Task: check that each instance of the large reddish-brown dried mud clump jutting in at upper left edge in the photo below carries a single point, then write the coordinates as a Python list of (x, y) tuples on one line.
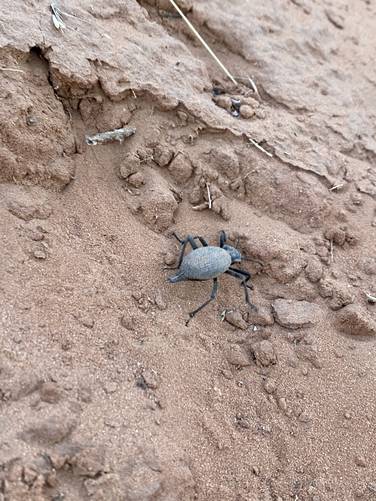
[(35, 134)]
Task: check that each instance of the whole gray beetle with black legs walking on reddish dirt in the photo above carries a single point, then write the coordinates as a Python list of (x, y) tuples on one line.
[(208, 263)]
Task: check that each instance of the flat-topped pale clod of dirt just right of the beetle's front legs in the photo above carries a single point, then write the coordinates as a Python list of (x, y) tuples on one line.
[(295, 314)]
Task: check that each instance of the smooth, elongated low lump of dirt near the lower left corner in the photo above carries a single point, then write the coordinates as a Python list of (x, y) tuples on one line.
[(51, 430)]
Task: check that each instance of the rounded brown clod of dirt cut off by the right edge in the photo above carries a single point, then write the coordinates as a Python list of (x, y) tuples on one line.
[(356, 321)]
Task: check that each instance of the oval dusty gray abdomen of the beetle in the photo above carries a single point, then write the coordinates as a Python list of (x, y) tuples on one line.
[(205, 263)]
